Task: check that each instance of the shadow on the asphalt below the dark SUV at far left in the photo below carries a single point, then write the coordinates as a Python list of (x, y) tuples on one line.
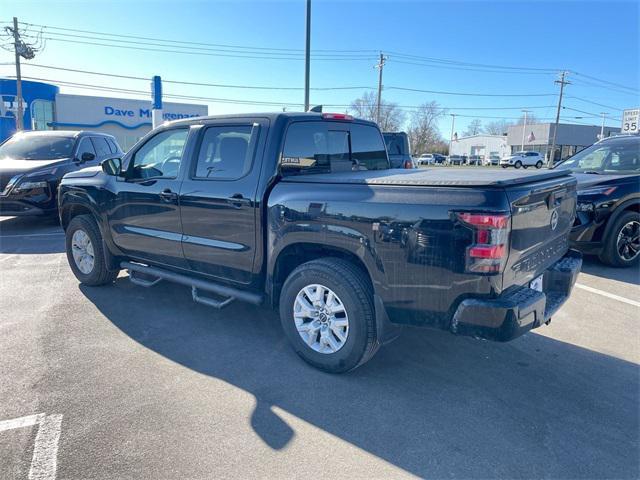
[(31, 235)]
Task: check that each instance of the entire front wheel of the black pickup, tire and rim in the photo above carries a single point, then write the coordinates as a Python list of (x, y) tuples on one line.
[(85, 254)]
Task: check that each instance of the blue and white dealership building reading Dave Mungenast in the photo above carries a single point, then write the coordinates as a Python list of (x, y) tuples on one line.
[(45, 108)]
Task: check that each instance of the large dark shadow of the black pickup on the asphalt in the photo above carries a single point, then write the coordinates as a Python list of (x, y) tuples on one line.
[(430, 403)]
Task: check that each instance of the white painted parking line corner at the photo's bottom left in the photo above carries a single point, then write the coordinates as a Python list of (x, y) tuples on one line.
[(44, 462)]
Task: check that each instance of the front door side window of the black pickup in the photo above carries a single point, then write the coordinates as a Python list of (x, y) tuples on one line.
[(160, 156)]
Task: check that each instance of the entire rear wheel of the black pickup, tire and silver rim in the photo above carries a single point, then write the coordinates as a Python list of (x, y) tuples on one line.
[(327, 313)]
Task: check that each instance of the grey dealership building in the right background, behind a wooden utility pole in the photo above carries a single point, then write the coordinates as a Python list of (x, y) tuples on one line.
[(570, 138)]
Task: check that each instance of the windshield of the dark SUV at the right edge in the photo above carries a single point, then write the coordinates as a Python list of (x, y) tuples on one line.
[(620, 156)]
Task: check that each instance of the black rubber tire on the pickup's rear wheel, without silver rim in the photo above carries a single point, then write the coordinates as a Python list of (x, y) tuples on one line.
[(350, 285)]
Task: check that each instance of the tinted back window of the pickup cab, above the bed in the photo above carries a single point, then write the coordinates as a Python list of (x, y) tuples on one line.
[(323, 147)]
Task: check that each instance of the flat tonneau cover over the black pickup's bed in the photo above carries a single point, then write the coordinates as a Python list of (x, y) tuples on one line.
[(434, 177)]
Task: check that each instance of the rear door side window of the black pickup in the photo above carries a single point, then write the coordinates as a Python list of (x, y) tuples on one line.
[(226, 152)]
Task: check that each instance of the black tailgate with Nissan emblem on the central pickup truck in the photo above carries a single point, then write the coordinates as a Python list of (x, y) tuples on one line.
[(542, 215)]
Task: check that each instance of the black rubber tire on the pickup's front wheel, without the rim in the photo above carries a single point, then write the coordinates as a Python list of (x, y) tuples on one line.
[(99, 274)]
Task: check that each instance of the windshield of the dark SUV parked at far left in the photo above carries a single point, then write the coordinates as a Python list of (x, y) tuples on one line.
[(32, 147)]
